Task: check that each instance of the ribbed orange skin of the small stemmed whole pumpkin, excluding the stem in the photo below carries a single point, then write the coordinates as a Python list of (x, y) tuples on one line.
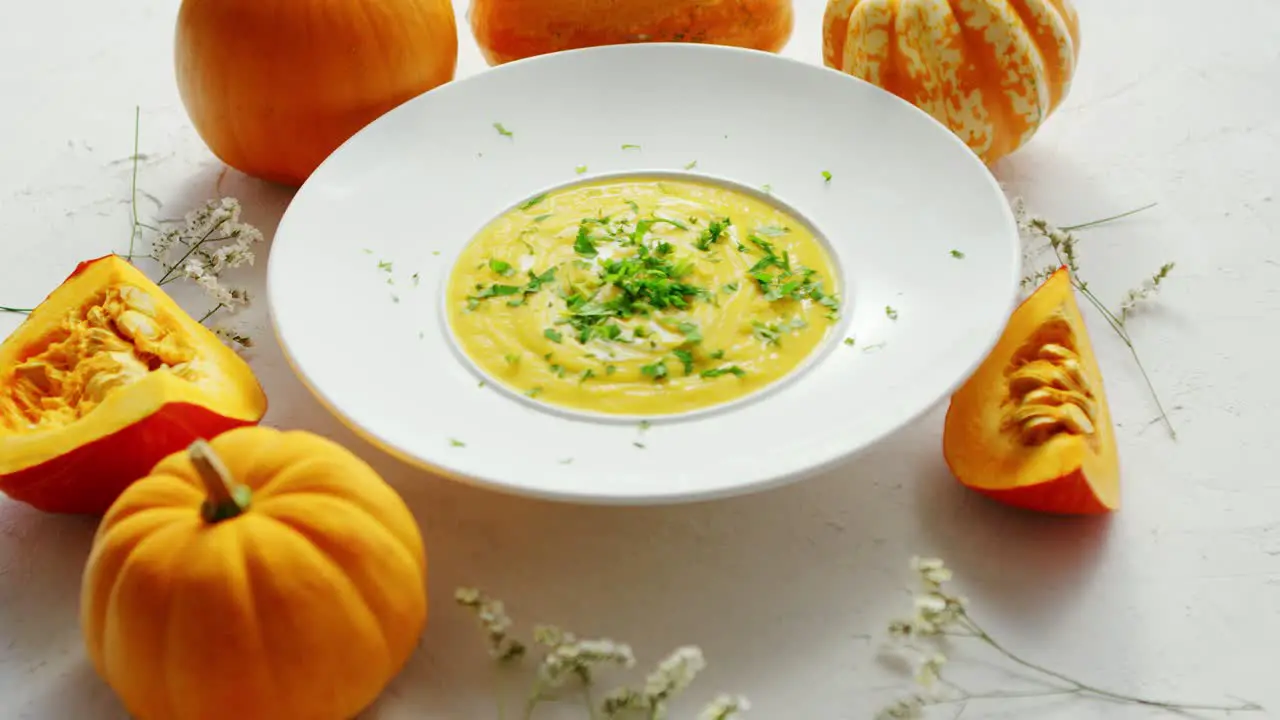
[(303, 608)]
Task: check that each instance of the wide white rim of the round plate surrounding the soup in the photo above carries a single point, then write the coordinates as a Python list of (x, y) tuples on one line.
[(415, 186)]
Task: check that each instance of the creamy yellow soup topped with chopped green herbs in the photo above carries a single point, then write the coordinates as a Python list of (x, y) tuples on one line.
[(643, 297)]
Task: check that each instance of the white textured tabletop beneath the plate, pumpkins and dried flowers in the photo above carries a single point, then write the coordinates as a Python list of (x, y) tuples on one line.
[(788, 593)]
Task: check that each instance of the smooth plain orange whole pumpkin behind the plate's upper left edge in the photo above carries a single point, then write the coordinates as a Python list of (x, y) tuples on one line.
[(275, 86)]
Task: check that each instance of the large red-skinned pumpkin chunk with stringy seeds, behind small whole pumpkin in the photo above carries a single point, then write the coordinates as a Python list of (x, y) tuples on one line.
[(103, 380)]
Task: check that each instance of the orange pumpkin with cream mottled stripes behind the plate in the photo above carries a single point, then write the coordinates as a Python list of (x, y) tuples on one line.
[(993, 71)]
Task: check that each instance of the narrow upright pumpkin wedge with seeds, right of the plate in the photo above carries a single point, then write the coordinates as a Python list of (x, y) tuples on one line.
[(1032, 427)]
